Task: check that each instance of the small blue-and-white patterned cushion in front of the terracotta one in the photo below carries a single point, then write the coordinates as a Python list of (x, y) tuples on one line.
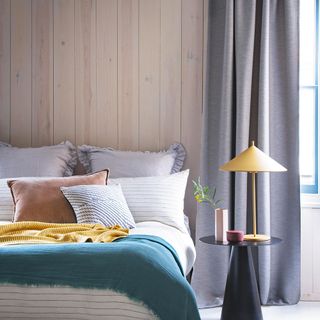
[(99, 204)]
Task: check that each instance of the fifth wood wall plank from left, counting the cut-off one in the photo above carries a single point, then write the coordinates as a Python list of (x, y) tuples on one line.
[(85, 71)]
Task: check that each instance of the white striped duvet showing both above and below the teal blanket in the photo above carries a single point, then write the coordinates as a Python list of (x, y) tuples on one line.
[(27, 302)]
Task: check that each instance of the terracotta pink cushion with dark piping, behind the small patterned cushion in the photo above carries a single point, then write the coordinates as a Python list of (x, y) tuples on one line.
[(42, 200)]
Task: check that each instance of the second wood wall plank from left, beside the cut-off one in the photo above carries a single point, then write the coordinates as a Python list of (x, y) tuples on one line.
[(20, 127)]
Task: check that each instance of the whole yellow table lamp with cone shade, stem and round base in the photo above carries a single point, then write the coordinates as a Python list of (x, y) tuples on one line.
[(253, 160)]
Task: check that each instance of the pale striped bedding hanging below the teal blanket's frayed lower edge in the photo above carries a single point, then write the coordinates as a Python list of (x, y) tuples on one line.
[(28, 303)]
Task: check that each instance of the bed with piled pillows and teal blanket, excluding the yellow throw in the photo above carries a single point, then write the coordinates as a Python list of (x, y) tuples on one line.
[(44, 282)]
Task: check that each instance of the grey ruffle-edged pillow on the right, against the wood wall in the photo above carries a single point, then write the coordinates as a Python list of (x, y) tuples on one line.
[(132, 163)]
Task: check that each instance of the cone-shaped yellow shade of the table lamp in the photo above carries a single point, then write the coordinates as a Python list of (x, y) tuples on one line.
[(252, 160)]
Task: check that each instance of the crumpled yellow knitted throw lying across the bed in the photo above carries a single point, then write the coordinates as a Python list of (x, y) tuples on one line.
[(27, 232)]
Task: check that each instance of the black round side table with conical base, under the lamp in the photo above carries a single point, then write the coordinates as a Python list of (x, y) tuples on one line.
[(241, 298)]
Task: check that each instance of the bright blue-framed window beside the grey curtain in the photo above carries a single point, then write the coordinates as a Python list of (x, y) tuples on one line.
[(309, 93)]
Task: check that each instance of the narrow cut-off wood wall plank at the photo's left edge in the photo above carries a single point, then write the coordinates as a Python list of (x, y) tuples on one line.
[(5, 70)]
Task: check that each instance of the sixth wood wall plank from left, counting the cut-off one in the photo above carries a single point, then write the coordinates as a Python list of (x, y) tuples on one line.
[(107, 73)]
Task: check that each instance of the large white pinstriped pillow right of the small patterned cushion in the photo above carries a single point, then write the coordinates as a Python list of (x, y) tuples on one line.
[(158, 198)]
